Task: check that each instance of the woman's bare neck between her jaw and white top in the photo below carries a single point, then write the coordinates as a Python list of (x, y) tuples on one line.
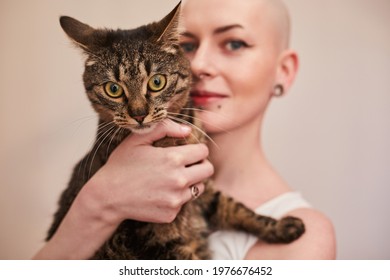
[(241, 168)]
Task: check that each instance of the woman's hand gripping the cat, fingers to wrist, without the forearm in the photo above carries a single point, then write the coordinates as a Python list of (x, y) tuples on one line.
[(146, 183)]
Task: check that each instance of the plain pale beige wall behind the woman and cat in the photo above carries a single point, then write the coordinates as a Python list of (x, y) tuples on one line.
[(329, 137)]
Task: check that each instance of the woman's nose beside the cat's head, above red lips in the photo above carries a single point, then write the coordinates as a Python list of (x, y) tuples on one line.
[(202, 62)]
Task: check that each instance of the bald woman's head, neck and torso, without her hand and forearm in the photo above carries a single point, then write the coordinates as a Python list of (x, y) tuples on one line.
[(239, 52)]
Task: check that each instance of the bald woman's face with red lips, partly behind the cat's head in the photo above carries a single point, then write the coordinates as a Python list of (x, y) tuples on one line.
[(234, 50)]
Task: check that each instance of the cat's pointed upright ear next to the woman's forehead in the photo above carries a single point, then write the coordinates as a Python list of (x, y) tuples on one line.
[(168, 32)]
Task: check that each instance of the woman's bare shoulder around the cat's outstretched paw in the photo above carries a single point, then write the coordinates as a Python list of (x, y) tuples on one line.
[(318, 241)]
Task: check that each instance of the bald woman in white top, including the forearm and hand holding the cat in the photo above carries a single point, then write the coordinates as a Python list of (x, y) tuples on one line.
[(240, 58)]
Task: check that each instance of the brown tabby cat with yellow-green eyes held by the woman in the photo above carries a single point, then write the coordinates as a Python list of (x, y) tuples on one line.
[(135, 79)]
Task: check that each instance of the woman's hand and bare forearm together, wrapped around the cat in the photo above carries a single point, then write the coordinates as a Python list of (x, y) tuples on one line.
[(139, 182)]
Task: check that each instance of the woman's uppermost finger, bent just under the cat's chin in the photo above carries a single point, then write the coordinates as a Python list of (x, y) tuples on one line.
[(165, 128)]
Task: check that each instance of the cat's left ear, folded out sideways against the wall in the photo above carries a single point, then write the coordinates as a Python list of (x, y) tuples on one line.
[(82, 34)]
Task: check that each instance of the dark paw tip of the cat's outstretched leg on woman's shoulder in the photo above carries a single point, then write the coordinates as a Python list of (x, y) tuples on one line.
[(289, 229)]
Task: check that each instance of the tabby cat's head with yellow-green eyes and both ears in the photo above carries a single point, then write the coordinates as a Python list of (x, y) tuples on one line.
[(133, 77)]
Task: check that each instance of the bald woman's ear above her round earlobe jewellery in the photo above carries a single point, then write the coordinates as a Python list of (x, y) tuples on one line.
[(287, 68)]
